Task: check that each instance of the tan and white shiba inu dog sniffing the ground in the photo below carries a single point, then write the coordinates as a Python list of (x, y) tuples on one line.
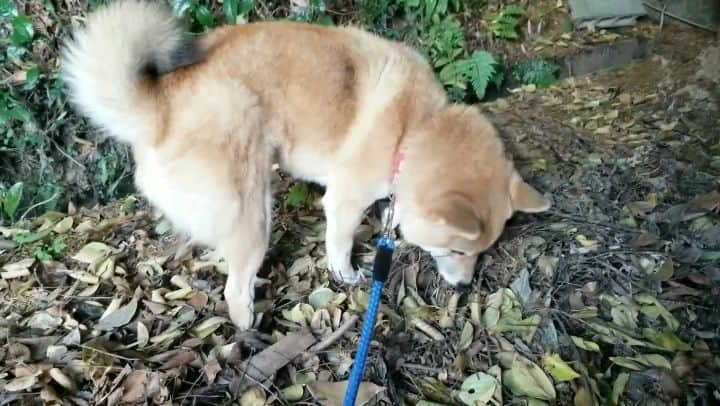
[(206, 120)]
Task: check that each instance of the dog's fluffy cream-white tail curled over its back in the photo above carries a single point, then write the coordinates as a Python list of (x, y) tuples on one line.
[(111, 66)]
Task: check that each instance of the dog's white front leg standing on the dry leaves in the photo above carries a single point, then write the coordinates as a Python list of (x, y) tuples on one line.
[(343, 213)]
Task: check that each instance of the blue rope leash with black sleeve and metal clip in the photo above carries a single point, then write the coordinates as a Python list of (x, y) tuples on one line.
[(381, 269)]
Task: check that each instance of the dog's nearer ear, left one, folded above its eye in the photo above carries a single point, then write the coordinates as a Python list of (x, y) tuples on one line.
[(456, 212)]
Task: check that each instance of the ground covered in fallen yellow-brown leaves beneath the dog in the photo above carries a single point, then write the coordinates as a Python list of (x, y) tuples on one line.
[(610, 298)]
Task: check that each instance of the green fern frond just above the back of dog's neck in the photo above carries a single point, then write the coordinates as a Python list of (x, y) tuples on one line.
[(479, 70)]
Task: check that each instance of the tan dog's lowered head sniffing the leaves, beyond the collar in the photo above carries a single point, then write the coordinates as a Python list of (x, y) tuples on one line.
[(457, 190)]
